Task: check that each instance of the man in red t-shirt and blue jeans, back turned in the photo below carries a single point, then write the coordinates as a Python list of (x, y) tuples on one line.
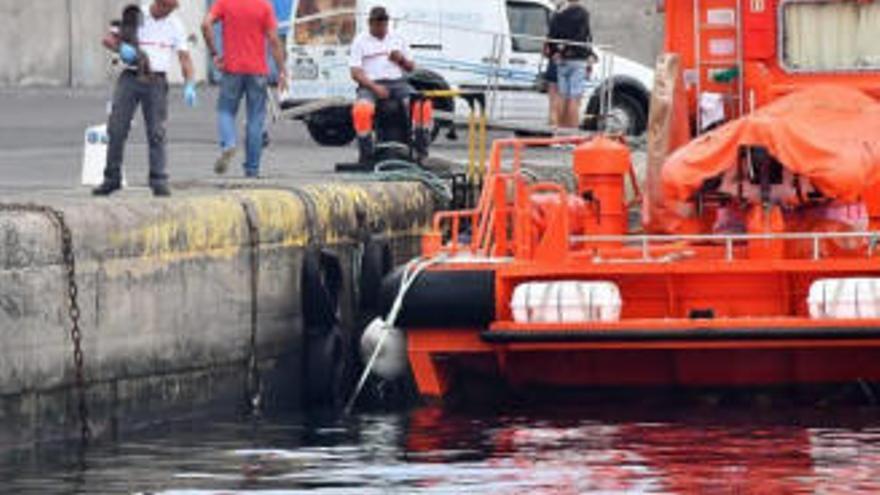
[(247, 26)]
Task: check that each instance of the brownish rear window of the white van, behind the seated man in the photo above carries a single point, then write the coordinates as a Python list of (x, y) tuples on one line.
[(325, 22)]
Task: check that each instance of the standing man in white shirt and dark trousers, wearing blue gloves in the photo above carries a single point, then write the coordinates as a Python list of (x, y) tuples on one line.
[(160, 37)]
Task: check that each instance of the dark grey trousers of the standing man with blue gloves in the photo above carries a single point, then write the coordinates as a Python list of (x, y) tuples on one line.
[(151, 93)]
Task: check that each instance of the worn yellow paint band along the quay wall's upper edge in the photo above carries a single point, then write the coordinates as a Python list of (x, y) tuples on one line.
[(214, 226)]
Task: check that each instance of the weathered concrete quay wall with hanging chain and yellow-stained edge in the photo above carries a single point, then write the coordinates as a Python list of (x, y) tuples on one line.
[(165, 295)]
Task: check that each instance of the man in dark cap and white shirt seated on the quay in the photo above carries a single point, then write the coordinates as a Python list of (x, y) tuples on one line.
[(378, 62)]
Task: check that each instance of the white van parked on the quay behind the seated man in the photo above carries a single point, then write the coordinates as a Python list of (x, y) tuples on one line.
[(467, 44)]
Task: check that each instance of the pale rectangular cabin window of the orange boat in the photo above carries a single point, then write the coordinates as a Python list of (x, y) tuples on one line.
[(831, 36)]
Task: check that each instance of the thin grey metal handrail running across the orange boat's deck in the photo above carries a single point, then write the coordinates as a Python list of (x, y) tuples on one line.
[(646, 242)]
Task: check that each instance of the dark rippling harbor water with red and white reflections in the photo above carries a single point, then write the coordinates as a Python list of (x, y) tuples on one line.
[(706, 448)]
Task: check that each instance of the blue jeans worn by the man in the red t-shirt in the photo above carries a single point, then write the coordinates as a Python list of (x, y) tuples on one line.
[(253, 88)]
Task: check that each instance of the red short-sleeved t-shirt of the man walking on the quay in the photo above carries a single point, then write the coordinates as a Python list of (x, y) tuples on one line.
[(245, 26)]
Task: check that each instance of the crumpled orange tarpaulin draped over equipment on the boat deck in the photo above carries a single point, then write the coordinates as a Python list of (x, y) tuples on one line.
[(827, 134)]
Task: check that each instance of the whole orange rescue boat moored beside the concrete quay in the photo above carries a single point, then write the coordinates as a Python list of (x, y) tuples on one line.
[(761, 262)]
